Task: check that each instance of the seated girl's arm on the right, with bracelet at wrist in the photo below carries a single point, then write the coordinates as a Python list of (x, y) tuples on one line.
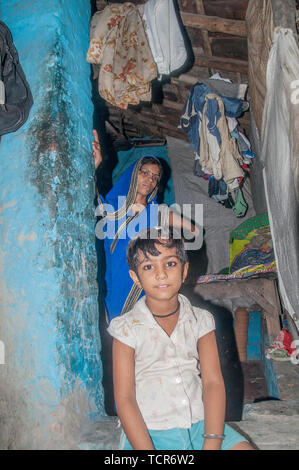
[(213, 390)]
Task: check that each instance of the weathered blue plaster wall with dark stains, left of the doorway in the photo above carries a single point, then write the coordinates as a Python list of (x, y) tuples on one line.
[(51, 380)]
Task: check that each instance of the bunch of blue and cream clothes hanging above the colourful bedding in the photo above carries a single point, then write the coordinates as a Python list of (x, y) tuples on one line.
[(222, 151)]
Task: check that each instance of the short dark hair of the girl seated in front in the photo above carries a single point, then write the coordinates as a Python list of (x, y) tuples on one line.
[(147, 243)]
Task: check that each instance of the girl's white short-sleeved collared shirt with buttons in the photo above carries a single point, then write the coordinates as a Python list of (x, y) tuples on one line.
[(167, 369)]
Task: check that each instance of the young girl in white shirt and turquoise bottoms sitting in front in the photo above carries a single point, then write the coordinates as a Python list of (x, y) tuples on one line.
[(169, 390)]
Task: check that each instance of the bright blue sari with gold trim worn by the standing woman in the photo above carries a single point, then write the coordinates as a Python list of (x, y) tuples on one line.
[(119, 291)]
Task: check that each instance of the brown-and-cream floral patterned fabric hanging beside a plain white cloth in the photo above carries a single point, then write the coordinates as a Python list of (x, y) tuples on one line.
[(118, 43)]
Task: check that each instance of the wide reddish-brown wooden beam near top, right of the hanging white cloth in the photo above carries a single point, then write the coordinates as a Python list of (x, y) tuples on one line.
[(215, 24)]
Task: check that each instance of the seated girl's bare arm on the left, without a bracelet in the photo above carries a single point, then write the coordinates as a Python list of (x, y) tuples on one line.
[(125, 399)]
